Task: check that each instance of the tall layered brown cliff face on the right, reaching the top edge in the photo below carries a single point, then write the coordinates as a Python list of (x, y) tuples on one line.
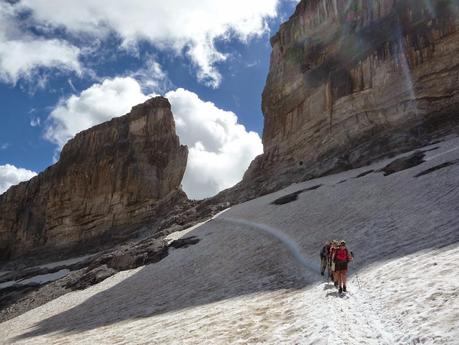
[(352, 80)]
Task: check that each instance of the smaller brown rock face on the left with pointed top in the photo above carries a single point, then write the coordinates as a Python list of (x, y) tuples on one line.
[(109, 180)]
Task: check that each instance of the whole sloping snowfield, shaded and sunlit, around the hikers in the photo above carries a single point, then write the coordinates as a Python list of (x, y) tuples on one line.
[(253, 278)]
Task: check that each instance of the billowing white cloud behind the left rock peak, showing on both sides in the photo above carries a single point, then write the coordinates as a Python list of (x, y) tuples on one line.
[(220, 149)]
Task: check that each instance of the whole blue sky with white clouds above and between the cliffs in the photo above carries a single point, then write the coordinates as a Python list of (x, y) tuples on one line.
[(66, 66)]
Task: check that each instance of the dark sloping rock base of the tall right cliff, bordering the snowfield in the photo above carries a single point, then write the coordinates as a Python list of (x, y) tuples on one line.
[(270, 172)]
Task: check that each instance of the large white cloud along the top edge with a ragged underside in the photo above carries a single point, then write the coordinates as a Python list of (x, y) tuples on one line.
[(177, 25)]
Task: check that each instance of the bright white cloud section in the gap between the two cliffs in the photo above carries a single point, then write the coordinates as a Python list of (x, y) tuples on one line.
[(220, 149)]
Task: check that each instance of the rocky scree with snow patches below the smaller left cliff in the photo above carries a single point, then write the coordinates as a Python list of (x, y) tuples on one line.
[(25, 286)]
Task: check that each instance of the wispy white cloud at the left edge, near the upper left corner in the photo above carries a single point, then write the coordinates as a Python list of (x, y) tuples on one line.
[(21, 54)]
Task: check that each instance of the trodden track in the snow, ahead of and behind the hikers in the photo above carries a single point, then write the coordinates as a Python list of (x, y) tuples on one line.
[(351, 318)]
